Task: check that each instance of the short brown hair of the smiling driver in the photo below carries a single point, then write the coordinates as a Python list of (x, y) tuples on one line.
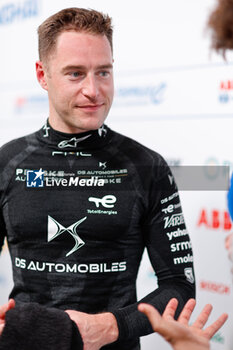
[(72, 19)]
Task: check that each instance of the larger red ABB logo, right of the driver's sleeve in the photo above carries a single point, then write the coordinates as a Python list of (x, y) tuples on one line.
[(215, 219)]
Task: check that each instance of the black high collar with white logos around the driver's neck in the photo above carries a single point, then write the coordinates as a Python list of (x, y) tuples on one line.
[(64, 141)]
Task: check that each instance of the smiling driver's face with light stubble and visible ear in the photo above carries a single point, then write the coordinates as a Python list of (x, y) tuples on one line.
[(79, 80)]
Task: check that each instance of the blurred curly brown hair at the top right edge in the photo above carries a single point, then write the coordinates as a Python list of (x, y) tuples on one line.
[(220, 24)]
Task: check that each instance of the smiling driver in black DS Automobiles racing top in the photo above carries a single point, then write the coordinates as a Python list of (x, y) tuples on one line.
[(80, 202)]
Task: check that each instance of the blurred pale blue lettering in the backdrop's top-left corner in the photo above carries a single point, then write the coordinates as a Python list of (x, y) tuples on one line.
[(12, 12)]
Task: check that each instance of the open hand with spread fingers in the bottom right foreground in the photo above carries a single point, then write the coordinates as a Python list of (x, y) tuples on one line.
[(180, 334)]
